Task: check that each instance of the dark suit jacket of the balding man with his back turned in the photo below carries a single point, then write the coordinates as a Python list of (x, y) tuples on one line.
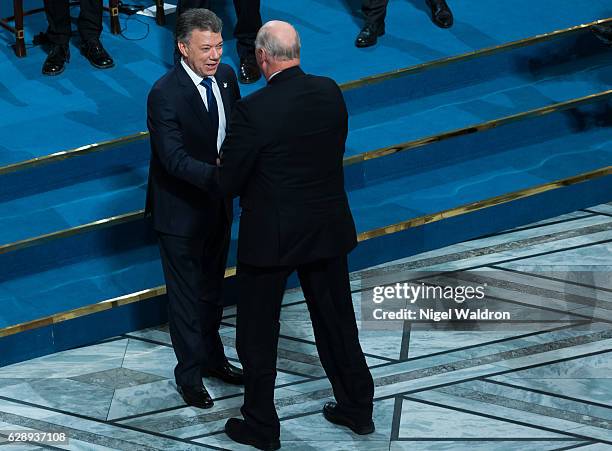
[(283, 157)]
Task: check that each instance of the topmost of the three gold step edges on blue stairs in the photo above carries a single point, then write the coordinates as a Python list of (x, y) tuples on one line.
[(378, 78)]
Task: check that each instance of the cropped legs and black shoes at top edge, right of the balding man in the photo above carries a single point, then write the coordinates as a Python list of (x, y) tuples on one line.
[(376, 10)]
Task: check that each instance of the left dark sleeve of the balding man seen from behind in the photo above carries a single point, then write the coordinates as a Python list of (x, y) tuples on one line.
[(238, 153)]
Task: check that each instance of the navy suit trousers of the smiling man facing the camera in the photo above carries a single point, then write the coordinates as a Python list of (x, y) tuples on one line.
[(194, 269)]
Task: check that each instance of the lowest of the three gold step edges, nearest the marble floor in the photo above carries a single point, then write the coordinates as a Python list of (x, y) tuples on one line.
[(375, 233)]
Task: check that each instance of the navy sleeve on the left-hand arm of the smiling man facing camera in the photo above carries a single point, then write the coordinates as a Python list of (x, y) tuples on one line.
[(167, 143)]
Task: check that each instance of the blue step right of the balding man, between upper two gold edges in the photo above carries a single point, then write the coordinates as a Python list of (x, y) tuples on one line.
[(474, 91)]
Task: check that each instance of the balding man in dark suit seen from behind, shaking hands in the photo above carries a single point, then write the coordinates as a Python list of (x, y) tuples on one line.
[(283, 157)]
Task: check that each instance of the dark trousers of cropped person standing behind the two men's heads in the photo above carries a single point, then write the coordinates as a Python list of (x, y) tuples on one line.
[(248, 22)]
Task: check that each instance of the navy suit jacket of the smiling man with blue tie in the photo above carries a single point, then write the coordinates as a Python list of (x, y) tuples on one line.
[(182, 194)]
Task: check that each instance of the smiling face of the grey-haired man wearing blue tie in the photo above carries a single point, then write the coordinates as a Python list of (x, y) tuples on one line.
[(203, 52)]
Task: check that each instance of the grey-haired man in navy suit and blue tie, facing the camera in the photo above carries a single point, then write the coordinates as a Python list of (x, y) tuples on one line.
[(188, 109)]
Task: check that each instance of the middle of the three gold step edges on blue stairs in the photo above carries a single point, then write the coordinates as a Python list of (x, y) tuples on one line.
[(348, 161)]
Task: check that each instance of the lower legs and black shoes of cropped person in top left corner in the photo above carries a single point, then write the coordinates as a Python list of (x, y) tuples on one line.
[(58, 34)]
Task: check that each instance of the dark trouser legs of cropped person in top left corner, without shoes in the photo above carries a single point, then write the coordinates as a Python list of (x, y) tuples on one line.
[(58, 17)]
